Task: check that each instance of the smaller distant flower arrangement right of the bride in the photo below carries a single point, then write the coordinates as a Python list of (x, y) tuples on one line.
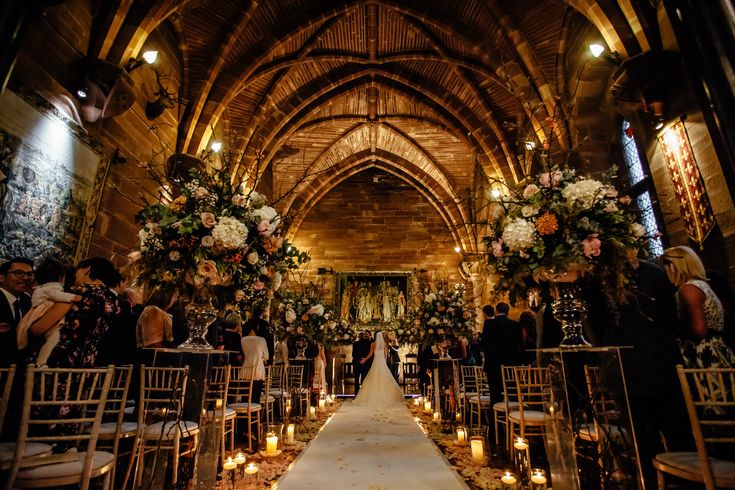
[(444, 315)]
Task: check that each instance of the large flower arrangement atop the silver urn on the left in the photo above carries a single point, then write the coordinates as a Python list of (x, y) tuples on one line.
[(213, 233)]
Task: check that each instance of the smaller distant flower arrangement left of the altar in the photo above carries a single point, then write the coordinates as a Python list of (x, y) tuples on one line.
[(302, 317)]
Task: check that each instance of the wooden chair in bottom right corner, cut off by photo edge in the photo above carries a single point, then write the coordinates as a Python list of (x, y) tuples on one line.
[(710, 399)]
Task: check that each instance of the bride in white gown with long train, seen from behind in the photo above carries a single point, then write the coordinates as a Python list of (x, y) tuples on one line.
[(379, 389)]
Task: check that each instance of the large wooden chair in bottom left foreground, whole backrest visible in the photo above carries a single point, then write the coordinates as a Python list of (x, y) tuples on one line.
[(80, 393)]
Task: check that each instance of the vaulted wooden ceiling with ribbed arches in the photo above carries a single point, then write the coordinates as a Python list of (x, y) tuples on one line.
[(310, 92)]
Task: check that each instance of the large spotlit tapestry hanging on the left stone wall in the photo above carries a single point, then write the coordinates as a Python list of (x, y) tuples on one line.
[(42, 203)]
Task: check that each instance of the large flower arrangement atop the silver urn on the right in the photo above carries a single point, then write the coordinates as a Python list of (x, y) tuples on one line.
[(561, 223)]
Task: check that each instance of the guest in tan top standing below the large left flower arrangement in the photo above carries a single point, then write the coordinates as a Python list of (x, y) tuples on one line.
[(155, 325)]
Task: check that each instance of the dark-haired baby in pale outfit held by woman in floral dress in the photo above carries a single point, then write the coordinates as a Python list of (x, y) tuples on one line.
[(50, 290)]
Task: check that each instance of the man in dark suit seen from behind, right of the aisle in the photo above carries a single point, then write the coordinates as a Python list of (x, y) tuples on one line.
[(502, 342)]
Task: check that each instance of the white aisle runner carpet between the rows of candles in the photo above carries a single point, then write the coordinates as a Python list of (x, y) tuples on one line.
[(363, 449)]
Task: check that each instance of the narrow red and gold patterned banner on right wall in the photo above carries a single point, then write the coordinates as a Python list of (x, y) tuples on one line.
[(691, 194)]
